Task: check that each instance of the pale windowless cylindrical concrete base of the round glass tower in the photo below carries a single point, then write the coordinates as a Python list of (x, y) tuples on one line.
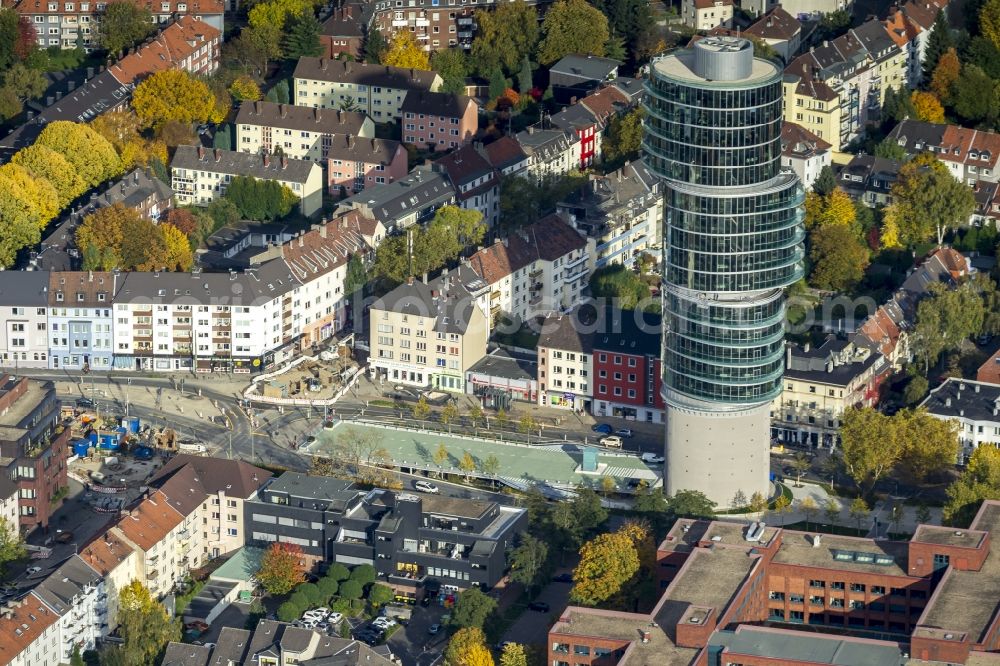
[(719, 453)]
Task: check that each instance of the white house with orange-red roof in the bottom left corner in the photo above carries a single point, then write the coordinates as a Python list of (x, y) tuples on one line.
[(29, 633)]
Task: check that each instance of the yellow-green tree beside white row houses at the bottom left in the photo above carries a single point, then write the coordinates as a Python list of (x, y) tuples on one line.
[(144, 625)]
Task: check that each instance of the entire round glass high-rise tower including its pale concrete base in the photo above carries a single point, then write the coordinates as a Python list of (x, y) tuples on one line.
[(733, 241)]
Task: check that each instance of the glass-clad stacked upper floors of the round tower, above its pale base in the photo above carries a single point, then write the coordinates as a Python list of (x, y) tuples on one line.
[(733, 229)]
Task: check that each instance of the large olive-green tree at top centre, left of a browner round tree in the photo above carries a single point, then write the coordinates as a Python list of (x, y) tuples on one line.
[(504, 36)]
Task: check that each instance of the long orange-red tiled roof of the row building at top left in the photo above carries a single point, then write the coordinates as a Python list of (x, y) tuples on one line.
[(166, 51)]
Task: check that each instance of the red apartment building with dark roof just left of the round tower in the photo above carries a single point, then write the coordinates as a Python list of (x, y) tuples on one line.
[(627, 372)]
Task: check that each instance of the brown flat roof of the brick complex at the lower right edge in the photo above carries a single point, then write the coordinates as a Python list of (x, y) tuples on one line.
[(966, 601)]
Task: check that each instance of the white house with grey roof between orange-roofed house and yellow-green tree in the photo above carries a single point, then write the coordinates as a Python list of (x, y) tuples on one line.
[(73, 591)]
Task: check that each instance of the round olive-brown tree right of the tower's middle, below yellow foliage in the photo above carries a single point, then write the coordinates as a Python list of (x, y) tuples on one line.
[(839, 258)]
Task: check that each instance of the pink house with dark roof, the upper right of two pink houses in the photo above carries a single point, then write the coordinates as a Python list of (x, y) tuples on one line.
[(440, 121)]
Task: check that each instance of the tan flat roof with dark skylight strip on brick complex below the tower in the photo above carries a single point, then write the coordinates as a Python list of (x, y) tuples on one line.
[(887, 558)]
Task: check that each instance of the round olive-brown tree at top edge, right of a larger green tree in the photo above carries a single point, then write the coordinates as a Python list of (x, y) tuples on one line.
[(572, 26)]
